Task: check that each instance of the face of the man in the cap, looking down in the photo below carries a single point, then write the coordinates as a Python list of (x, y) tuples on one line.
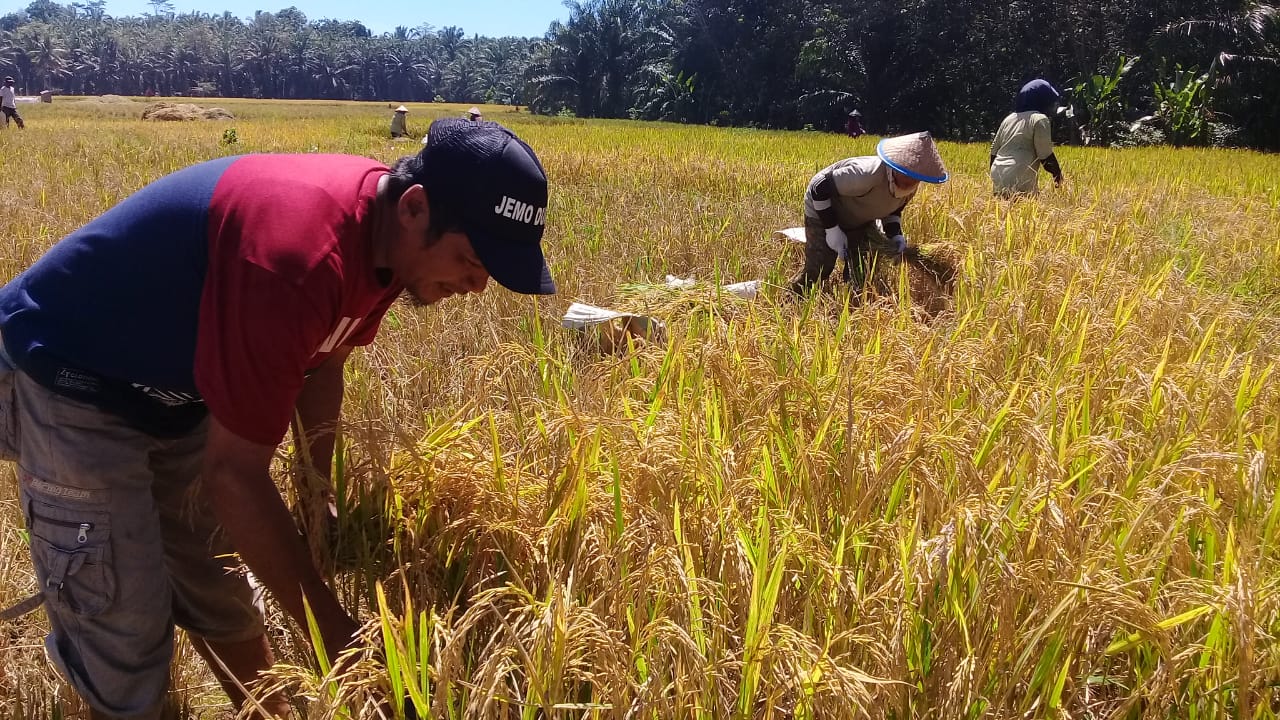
[(442, 270)]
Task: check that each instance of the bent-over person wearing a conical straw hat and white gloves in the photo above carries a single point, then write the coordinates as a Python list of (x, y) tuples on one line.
[(845, 200)]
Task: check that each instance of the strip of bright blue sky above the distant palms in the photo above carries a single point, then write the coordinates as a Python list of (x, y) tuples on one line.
[(476, 17)]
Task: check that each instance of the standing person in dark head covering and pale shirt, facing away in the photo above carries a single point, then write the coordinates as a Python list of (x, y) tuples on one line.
[(1025, 143)]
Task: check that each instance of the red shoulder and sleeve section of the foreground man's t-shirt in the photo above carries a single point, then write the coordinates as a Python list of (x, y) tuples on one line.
[(290, 280)]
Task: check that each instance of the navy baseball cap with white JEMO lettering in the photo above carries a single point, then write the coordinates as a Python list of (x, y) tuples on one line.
[(504, 192)]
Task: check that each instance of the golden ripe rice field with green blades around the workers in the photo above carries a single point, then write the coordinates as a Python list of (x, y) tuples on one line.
[(1046, 491)]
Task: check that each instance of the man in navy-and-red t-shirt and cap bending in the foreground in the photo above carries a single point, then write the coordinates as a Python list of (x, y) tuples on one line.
[(156, 358)]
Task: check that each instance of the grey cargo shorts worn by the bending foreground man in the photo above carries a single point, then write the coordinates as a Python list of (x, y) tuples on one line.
[(124, 548)]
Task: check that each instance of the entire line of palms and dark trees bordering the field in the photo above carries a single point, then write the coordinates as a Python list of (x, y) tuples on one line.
[(1187, 72)]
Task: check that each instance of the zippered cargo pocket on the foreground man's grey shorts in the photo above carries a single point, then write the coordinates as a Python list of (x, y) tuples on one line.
[(72, 554)]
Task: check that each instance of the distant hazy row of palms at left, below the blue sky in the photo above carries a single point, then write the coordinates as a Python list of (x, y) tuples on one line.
[(80, 51)]
